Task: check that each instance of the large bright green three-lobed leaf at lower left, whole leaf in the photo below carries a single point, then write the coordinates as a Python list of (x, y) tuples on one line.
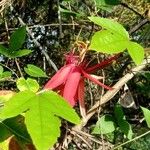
[(42, 112)]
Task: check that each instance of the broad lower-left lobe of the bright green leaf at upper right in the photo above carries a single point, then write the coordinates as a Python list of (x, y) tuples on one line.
[(106, 42)]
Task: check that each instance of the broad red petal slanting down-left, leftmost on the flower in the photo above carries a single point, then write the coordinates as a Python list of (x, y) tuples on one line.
[(59, 78)]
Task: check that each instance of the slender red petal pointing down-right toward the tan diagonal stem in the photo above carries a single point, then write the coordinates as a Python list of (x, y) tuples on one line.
[(96, 81)]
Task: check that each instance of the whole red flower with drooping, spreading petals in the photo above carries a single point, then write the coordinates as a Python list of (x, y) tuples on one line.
[(69, 80)]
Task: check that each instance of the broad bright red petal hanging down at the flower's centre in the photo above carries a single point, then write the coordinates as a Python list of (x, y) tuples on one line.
[(71, 85)]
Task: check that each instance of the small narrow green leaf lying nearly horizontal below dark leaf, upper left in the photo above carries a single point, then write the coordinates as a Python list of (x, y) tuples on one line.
[(20, 53)]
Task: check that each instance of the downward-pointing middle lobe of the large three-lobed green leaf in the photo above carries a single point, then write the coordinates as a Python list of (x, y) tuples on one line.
[(43, 127)]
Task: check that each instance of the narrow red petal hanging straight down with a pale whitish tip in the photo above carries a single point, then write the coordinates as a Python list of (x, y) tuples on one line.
[(81, 98)]
